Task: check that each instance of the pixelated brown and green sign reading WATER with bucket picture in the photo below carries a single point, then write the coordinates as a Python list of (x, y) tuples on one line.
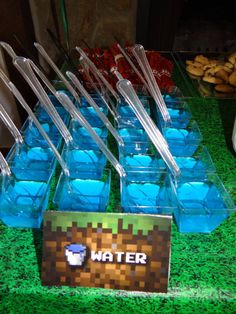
[(115, 251)]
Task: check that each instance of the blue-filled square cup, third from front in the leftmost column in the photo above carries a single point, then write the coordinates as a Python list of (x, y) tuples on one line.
[(33, 138)]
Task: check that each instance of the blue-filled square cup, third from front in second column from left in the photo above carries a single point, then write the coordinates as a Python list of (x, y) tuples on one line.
[(82, 138)]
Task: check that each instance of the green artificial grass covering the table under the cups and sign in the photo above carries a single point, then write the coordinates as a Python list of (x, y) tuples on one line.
[(203, 266)]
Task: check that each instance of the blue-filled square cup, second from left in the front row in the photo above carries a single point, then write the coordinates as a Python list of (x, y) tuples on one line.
[(87, 195)]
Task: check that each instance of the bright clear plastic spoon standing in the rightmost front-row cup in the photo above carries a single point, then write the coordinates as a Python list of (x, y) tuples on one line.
[(126, 89)]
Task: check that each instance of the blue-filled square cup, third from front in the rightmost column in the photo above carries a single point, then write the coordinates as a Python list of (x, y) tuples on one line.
[(183, 142)]
